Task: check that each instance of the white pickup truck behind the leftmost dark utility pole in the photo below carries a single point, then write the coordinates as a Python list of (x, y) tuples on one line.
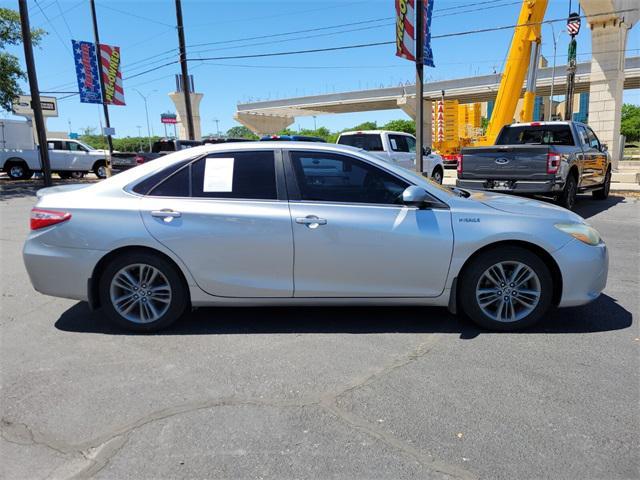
[(68, 158)]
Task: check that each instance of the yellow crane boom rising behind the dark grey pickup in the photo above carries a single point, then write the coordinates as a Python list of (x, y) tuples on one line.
[(522, 58)]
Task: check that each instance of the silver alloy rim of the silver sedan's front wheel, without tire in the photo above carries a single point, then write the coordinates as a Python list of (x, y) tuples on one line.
[(508, 291)]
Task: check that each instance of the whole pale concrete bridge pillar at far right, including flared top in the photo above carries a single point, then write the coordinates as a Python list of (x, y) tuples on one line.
[(608, 44)]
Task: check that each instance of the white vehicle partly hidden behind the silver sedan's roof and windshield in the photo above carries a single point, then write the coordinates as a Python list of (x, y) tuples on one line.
[(396, 147)]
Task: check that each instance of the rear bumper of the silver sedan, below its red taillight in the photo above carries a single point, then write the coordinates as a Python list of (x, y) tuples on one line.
[(59, 271)]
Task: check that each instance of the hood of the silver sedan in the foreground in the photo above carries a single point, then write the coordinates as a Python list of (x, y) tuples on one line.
[(525, 206)]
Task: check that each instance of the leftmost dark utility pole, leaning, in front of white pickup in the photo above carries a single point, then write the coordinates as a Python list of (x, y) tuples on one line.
[(35, 92)]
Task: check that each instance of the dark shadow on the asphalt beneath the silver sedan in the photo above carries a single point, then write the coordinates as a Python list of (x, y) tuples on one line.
[(604, 314)]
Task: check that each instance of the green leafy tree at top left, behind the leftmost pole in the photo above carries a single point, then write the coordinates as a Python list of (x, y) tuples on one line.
[(10, 71)]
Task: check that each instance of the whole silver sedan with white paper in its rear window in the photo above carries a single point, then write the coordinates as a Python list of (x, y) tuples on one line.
[(293, 223)]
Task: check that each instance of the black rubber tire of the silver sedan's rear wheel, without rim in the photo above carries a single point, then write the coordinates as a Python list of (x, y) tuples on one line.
[(178, 302)]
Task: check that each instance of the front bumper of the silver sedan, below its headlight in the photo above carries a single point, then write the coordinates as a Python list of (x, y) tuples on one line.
[(584, 271)]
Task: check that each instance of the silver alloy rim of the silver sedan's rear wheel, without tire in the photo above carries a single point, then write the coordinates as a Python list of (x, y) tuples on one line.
[(140, 293)]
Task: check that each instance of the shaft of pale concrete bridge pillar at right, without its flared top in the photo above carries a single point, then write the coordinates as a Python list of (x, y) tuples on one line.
[(607, 81)]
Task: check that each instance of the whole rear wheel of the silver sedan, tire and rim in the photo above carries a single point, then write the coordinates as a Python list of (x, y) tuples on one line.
[(142, 292)]
